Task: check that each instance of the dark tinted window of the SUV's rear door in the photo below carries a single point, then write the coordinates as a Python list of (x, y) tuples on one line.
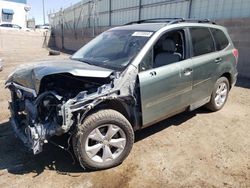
[(202, 41)]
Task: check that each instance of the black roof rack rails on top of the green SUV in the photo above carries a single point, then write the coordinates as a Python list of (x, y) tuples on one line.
[(170, 21)]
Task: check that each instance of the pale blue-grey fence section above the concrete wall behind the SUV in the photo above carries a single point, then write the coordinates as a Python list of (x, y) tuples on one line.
[(78, 18)]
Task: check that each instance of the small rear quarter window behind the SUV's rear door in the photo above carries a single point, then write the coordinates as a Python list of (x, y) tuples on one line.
[(220, 39)]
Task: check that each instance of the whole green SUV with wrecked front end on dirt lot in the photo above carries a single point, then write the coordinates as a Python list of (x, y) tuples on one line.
[(126, 79)]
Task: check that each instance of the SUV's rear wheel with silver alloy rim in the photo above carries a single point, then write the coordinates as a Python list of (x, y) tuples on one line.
[(215, 103)]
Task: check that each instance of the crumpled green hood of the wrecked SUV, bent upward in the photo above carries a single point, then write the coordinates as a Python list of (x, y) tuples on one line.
[(30, 76)]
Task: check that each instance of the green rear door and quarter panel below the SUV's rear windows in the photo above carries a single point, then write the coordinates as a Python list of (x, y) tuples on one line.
[(207, 70)]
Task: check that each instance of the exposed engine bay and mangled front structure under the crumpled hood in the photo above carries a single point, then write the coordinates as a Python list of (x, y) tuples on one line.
[(62, 102)]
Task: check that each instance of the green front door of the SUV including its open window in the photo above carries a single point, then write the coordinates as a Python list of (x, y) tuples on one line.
[(165, 89)]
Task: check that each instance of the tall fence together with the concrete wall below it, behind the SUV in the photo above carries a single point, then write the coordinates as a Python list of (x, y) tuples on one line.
[(76, 25)]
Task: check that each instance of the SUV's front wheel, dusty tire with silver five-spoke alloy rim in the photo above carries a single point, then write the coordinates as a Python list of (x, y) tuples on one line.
[(87, 137)]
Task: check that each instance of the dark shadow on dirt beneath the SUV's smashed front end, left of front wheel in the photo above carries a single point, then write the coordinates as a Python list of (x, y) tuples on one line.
[(16, 160)]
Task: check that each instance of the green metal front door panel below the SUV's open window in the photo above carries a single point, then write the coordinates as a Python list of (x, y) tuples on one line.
[(164, 90)]
